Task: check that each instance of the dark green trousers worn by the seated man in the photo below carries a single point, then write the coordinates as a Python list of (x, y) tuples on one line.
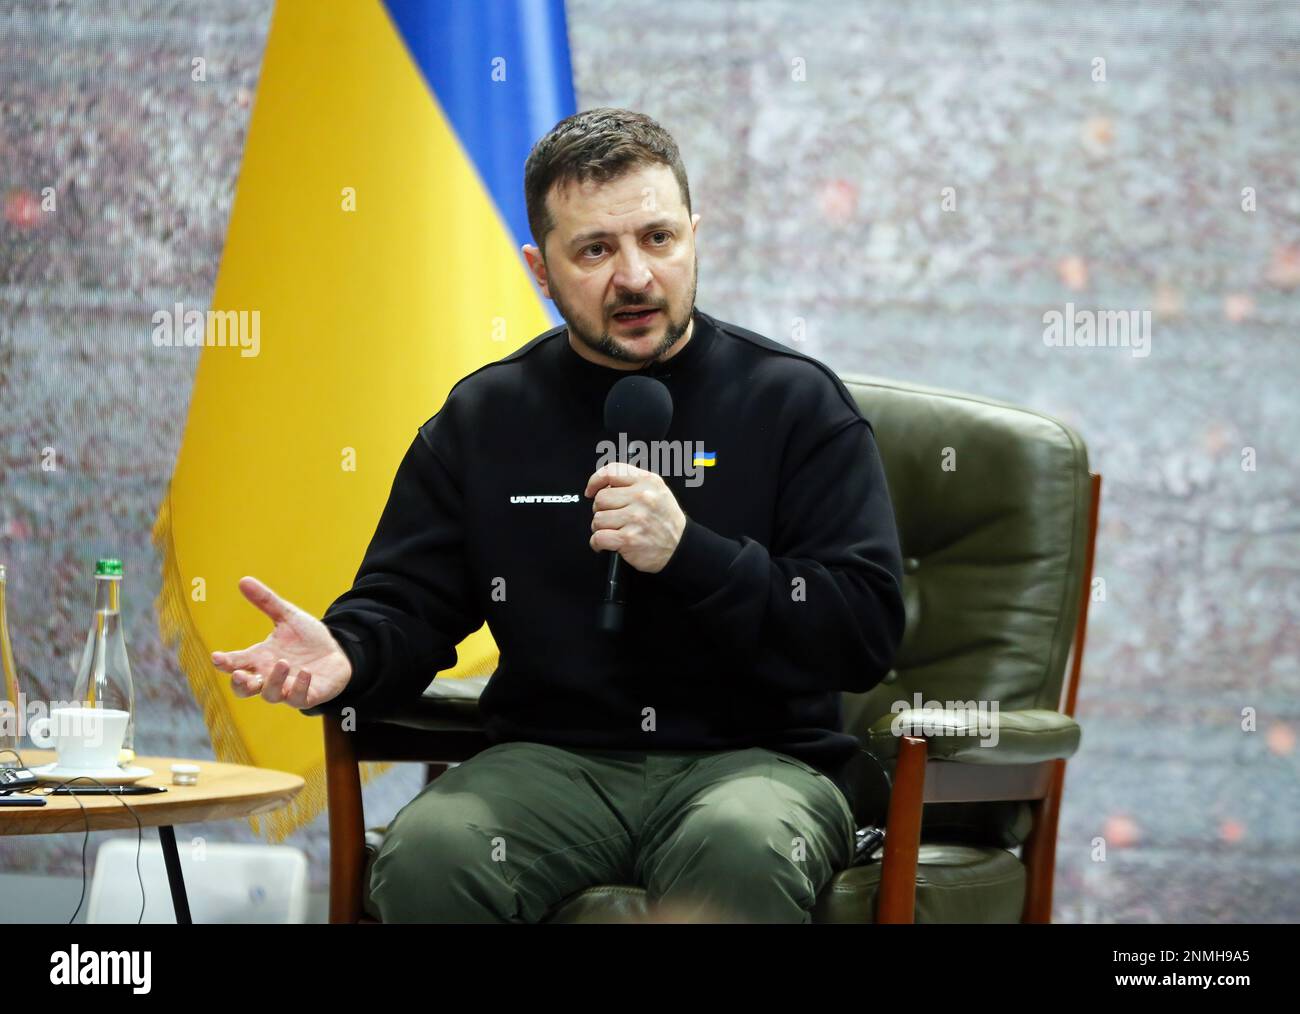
[(735, 837)]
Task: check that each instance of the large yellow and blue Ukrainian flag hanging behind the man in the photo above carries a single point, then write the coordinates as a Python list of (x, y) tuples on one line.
[(376, 229)]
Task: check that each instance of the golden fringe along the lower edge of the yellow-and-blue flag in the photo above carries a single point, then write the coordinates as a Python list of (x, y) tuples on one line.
[(179, 632)]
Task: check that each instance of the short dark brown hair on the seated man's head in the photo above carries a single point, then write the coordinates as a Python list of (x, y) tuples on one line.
[(601, 145)]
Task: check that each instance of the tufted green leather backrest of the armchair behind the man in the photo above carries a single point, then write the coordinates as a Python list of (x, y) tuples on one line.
[(993, 510)]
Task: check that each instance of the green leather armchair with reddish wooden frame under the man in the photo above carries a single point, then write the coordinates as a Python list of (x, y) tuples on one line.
[(965, 742)]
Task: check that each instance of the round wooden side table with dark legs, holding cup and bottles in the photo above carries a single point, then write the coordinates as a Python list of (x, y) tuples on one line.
[(223, 792)]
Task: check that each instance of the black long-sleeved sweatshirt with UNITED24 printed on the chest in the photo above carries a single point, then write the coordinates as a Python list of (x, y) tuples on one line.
[(785, 591)]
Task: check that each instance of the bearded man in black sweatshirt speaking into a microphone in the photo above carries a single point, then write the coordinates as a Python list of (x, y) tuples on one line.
[(694, 753)]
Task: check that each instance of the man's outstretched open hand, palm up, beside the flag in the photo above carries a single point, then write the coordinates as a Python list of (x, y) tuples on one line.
[(300, 664)]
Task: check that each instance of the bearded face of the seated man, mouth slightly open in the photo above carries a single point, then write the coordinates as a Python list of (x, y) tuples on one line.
[(618, 245)]
